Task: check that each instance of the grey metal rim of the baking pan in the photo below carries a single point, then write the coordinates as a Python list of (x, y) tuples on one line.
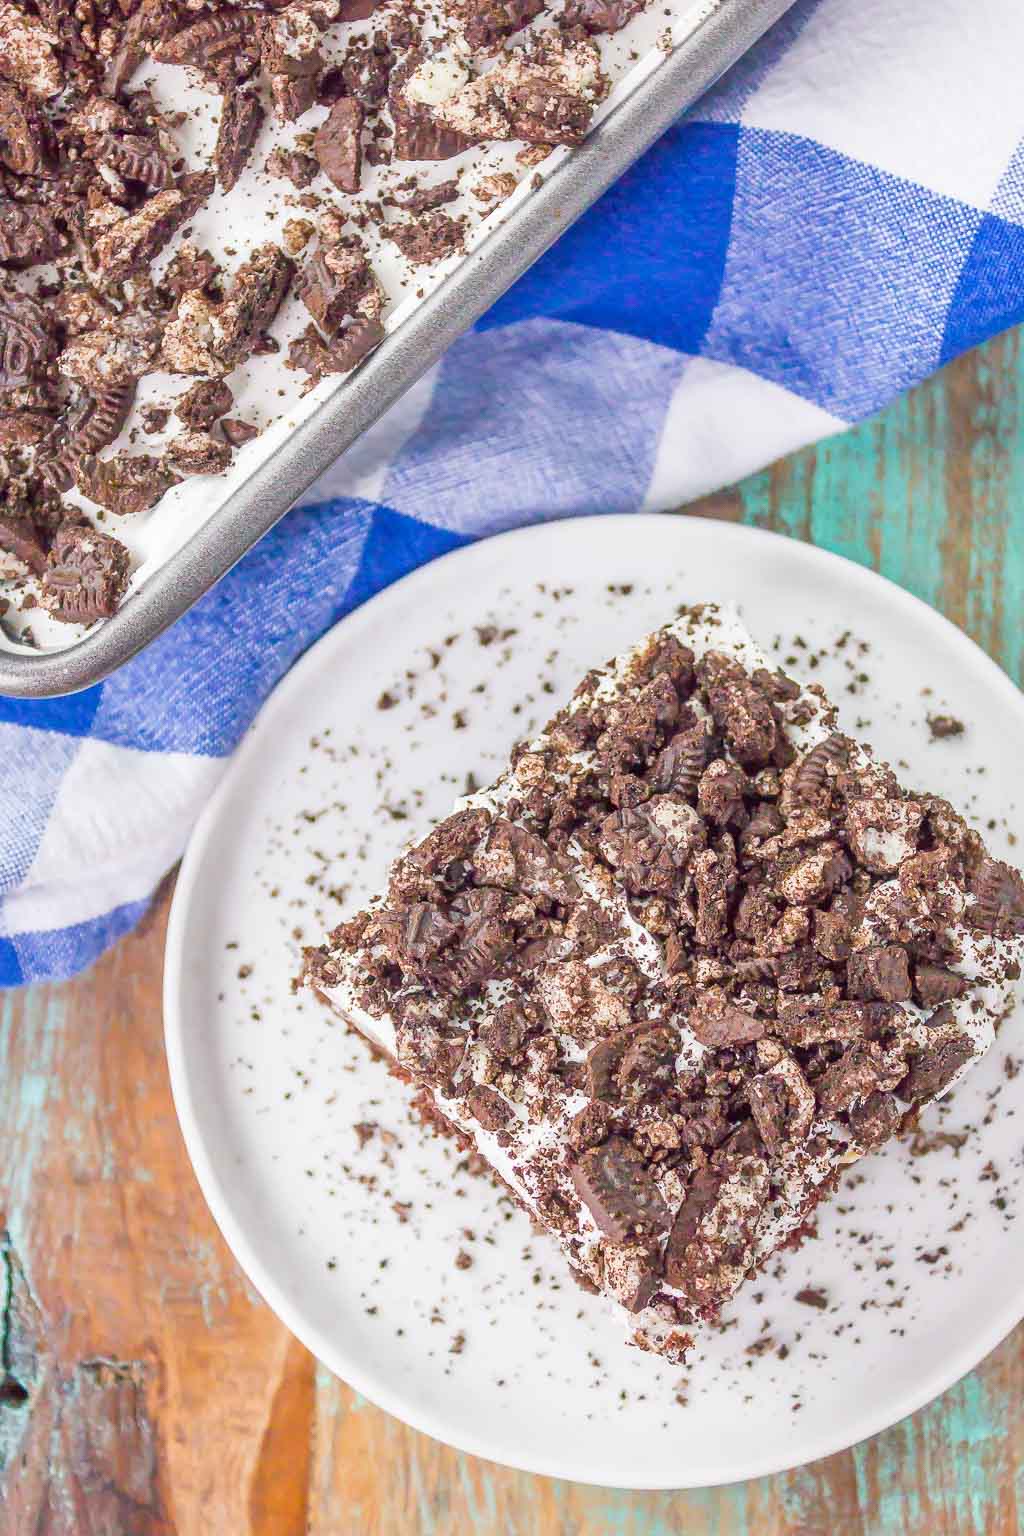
[(722, 33)]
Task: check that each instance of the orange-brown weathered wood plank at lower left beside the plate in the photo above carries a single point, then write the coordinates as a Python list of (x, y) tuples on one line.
[(162, 1394)]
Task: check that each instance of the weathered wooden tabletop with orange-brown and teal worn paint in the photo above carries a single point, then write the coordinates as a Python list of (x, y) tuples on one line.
[(148, 1391)]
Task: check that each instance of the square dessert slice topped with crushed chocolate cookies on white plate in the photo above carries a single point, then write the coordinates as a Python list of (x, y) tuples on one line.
[(690, 956)]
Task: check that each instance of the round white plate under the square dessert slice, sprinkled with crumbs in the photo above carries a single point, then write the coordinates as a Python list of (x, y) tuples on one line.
[(355, 1246)]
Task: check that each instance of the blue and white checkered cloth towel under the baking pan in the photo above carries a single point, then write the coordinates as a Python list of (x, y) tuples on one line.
[(842, 216)]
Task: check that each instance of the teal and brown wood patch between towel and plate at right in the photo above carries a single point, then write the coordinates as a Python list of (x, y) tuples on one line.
[(931, 494)]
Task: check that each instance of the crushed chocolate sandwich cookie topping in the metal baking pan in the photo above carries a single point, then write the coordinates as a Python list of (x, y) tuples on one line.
[(101, 285)]
